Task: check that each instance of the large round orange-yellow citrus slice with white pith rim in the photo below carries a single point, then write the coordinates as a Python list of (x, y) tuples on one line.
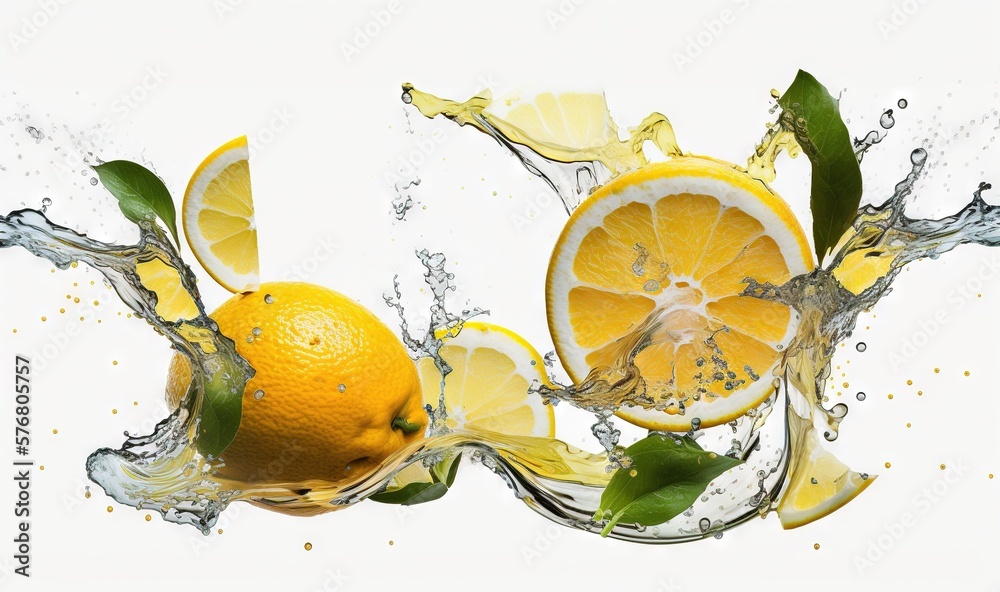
[(667, 249)]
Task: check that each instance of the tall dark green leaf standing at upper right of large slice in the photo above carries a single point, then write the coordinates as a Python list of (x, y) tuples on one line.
[(813, 115)]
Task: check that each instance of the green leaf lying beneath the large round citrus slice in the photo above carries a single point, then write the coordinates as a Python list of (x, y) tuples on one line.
[(666, 476)]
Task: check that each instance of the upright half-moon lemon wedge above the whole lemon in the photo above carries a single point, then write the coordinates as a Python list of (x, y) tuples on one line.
[(218, 217)]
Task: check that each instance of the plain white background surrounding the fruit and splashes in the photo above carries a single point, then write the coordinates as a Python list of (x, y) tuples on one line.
[(321, 180)]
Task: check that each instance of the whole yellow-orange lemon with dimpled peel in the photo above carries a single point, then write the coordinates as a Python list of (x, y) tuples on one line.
[(334, 392)]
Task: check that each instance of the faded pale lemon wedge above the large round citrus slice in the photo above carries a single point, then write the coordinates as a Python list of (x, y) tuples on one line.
[(570, 120)]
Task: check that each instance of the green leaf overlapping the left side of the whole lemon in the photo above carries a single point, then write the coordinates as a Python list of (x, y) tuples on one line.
[(221, 410)]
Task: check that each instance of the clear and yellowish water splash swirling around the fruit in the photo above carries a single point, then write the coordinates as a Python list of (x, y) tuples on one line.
[(165, 472)]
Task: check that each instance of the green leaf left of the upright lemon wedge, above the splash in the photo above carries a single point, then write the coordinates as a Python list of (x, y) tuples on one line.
[(141, 194)]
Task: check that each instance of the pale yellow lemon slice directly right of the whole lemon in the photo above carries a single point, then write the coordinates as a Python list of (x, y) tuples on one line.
[(488, 387)]
